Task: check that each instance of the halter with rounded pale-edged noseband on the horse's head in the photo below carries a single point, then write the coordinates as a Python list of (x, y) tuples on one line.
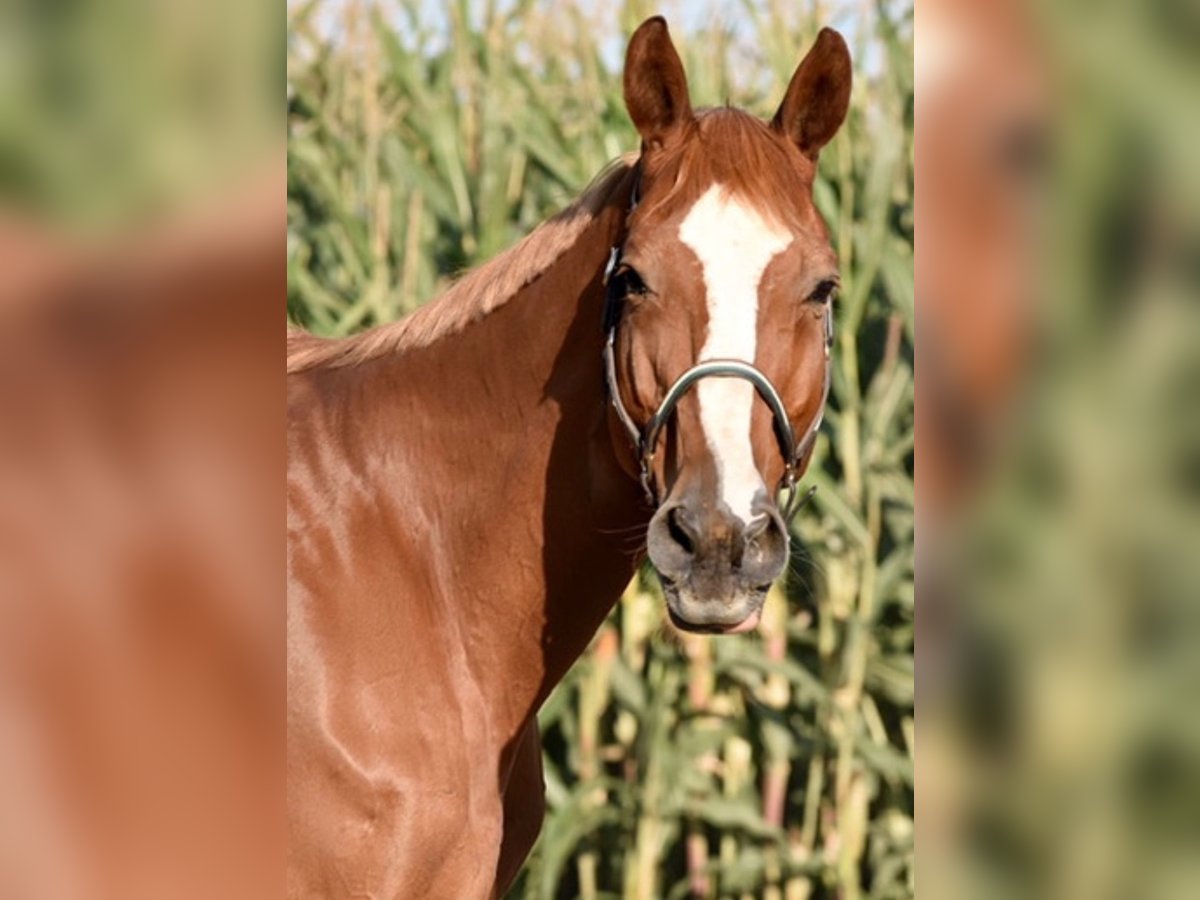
[(646, 437)]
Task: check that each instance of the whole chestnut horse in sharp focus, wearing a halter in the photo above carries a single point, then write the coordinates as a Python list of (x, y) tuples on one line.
[(463, 484)]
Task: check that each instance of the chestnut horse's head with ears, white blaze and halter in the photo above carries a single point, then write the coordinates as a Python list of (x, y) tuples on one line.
[(721, 321)]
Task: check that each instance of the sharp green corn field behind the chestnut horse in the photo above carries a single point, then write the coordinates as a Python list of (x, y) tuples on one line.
[(425, 139)]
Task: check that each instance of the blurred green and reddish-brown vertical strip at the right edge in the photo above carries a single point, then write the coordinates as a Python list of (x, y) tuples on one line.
[(1058, 449)]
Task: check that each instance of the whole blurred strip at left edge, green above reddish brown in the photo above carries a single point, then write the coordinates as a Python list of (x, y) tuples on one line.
[(142, 227)]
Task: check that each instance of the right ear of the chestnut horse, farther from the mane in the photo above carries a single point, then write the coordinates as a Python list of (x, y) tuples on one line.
[(819, 97)]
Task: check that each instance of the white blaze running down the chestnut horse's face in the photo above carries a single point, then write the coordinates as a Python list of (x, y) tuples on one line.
[(735, 245)]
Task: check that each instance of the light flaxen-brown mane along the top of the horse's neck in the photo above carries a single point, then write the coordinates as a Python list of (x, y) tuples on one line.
[(476, 295)]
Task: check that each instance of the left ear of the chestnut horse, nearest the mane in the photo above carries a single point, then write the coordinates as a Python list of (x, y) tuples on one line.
[(656, 86)]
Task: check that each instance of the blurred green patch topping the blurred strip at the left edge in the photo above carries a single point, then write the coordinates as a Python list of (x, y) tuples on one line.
[(133, 112)]
